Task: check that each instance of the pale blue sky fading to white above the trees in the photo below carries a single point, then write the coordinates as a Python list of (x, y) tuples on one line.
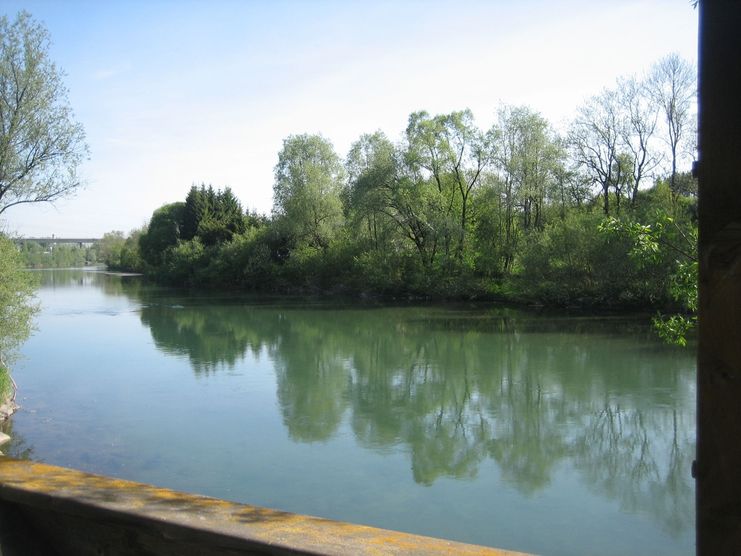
[(176, 93)]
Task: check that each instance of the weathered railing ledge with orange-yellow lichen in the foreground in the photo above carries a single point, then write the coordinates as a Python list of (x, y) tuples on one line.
[(91, 514)]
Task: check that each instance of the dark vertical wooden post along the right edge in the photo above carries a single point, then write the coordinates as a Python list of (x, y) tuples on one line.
[(718, 465)]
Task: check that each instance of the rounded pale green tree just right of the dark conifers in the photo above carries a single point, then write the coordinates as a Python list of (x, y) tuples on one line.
[(308, 190)]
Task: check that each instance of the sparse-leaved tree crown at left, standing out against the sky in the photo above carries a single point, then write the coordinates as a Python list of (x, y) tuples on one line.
[(41, 144)]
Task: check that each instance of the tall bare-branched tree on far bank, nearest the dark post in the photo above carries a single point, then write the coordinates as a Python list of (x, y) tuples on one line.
[(673, 84)]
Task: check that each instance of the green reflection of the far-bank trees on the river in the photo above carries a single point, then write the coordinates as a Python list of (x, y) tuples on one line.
[(454, 387)]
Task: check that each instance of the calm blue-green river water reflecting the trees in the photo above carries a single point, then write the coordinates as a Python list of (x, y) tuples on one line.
[(547, 434)]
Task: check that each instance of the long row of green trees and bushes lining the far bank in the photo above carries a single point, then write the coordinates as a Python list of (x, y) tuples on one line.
[(603, 214)]
